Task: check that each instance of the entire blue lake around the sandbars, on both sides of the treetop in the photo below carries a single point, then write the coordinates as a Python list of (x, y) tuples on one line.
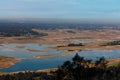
[(30, 63)]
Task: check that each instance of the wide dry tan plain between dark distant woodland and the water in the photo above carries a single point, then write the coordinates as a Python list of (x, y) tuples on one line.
[(55, 35)]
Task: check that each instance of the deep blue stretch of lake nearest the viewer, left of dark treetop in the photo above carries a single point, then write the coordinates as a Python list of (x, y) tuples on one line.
[(36, 64)]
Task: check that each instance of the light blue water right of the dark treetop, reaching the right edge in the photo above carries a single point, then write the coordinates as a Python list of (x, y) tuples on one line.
[(94, 54)]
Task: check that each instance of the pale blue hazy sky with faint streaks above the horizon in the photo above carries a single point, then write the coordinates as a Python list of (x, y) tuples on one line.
[(60, 9)]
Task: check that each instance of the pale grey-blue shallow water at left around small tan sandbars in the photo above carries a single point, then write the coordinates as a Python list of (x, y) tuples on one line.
[(11, 50)]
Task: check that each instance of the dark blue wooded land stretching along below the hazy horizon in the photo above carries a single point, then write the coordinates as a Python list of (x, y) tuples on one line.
[(25, 28)]
